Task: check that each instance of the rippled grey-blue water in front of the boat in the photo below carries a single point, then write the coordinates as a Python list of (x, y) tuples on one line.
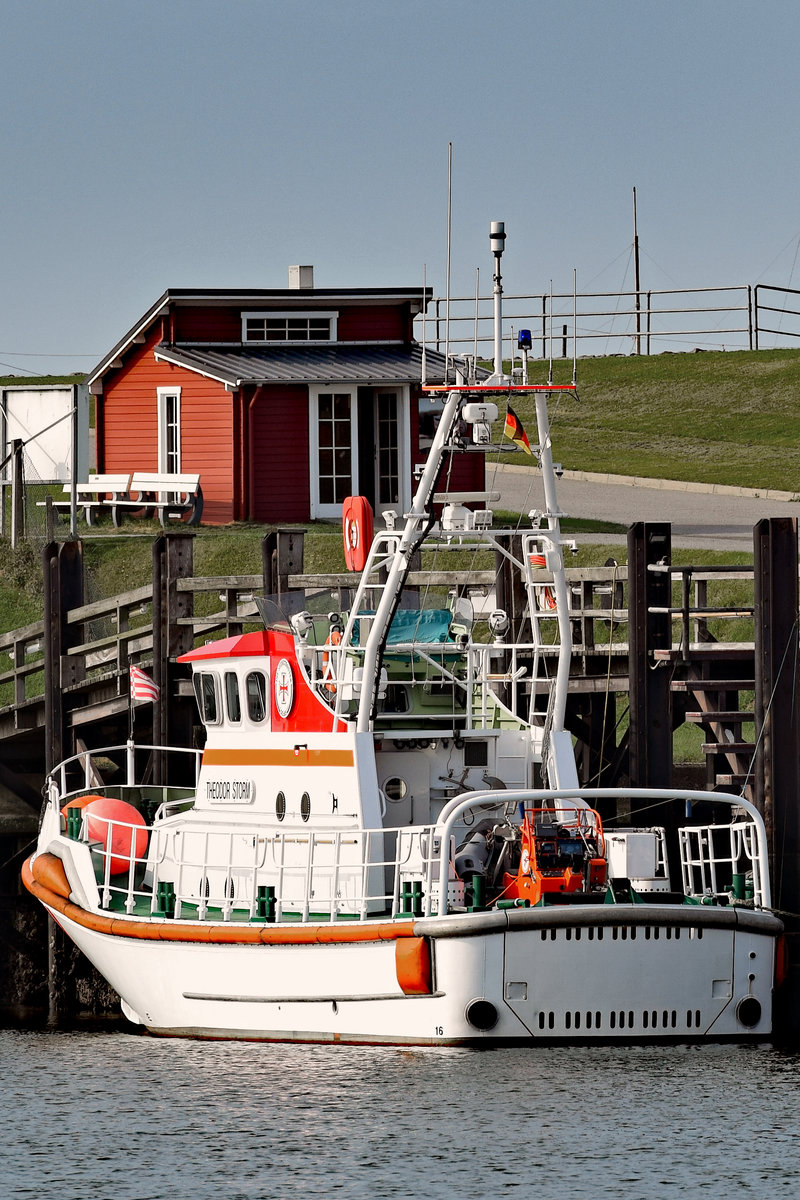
[(129, 1118)]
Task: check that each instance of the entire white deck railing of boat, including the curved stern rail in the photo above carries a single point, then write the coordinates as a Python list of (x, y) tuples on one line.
[(214, 872)]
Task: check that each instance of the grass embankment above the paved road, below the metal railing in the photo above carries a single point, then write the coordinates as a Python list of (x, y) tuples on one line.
[(713, 417)]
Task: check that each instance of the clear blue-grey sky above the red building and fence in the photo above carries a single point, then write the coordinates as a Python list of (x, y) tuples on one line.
[(213, 143)]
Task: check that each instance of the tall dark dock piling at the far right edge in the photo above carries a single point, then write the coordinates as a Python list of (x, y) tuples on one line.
[(778, 736)]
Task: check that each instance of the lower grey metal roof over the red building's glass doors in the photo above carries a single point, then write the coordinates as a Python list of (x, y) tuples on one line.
[(376, 364)]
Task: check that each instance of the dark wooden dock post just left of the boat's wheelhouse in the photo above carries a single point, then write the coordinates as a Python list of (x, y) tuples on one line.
[(173, 559)]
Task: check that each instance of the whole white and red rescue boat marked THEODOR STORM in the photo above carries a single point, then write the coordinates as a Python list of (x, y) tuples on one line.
[(386, 838)]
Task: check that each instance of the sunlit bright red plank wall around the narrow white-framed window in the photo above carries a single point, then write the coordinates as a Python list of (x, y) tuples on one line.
[(131, 431)]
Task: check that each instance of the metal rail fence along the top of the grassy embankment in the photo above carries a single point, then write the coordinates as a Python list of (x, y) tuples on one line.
[(601, 323)]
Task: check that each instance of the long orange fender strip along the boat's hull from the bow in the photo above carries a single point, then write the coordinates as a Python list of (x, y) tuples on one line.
[(34, 878)]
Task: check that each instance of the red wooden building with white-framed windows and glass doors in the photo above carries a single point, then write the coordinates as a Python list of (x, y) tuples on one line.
[(286, 401)]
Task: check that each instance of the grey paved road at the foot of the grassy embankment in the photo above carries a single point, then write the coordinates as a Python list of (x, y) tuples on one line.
[(702, 515)]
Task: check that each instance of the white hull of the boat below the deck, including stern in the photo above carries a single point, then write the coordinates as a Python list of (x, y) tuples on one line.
[(641, 973)]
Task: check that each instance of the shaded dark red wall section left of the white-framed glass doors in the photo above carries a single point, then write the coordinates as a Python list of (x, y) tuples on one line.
[(280, 431)]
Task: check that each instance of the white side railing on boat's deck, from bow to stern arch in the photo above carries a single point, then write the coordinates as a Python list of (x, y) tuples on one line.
[(215, 872)]
